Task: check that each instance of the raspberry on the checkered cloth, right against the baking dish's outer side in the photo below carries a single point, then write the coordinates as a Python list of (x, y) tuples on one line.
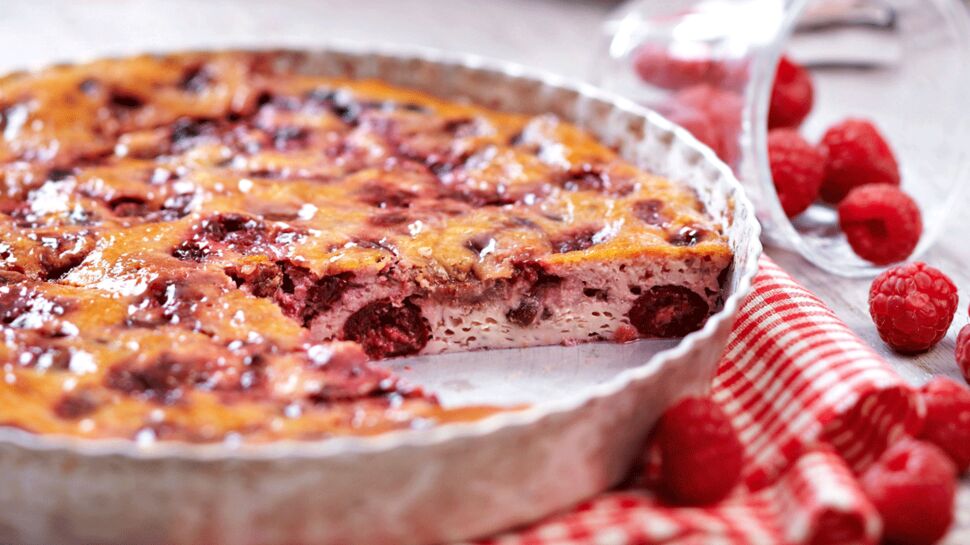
[(700, 454)]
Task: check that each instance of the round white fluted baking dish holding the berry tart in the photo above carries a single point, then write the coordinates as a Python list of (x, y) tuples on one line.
[(591, 405)]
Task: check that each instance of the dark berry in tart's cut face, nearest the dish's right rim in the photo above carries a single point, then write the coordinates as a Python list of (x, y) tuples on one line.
[(668, 311)]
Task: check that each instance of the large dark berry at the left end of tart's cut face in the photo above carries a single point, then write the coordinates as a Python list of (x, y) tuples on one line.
[(386, 330)]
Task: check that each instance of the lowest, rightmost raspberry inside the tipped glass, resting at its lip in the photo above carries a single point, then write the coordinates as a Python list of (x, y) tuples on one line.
[(882, 224)]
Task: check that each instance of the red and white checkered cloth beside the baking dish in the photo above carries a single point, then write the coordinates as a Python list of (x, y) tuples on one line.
[(813, 405)]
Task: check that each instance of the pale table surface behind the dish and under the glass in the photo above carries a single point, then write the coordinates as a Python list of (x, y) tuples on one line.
[(556, 35)]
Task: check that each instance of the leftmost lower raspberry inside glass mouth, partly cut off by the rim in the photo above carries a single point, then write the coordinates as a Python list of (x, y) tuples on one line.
[(797, 168)]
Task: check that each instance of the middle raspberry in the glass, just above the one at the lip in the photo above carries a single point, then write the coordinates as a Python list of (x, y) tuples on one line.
[(856, 155)]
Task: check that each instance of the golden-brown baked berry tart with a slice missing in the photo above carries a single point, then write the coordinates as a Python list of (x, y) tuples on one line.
[(201, 246)]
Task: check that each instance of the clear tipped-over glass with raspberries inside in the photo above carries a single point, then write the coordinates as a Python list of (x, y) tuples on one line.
[(903, 64)]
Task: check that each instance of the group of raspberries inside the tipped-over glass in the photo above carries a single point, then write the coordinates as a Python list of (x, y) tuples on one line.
[(852, 167)]
